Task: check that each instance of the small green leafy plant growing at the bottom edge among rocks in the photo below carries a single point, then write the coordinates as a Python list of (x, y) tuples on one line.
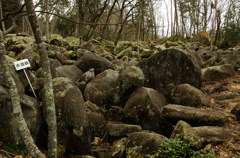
[(177, 148)]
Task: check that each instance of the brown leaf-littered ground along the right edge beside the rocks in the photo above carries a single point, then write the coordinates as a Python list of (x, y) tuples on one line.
[(225, 95)]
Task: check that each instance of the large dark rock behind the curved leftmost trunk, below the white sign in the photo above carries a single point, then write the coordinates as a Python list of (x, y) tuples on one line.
[(9, 131)]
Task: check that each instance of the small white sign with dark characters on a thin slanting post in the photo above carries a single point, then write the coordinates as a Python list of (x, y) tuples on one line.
[(22, 65)]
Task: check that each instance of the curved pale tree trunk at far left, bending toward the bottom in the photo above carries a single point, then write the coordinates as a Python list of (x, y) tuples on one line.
[(17, 111)]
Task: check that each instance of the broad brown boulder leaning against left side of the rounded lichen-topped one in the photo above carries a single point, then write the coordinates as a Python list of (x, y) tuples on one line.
[(101, 90)]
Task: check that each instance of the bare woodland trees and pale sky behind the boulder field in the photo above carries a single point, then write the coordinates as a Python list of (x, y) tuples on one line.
[(217, 21)]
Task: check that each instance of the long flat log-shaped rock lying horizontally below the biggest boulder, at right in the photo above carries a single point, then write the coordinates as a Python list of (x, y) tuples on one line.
[(194, 116)]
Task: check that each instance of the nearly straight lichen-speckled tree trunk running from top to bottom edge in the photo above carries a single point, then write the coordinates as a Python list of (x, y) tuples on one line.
[(49, 96)]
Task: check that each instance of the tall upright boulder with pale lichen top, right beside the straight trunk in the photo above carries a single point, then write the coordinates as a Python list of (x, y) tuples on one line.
[(72, 118)]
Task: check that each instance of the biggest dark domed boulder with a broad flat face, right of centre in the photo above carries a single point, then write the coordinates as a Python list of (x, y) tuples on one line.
[(170, 67)]
